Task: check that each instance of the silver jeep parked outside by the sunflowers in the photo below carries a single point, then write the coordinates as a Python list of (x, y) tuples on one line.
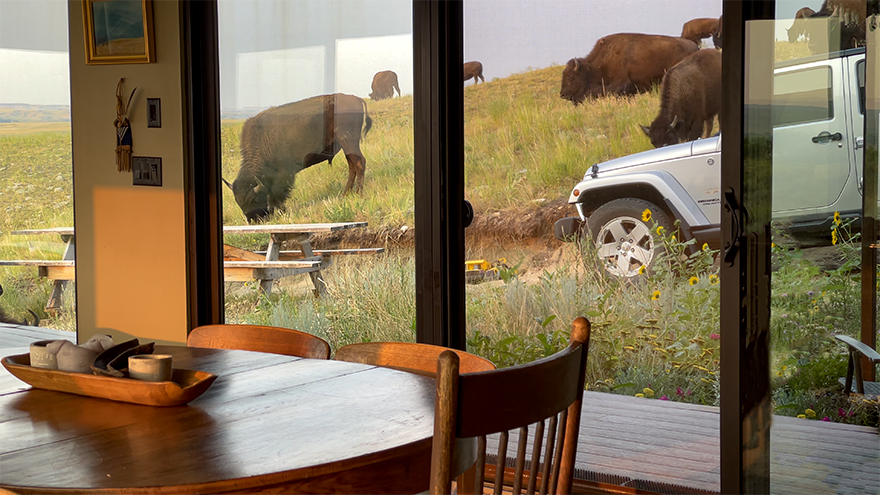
[(817, 112)]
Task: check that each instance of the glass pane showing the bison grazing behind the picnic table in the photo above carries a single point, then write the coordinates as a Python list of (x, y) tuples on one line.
[(316, 102)]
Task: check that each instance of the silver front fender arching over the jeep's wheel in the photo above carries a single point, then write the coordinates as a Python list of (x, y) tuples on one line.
[(658, 187)]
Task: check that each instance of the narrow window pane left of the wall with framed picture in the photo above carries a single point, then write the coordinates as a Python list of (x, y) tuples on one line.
[(36, 186)]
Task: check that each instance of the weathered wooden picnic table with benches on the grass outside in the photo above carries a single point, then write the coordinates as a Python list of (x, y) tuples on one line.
[(239, 265)]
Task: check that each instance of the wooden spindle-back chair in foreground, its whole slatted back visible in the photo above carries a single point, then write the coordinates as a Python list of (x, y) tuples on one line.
[(479, 404)]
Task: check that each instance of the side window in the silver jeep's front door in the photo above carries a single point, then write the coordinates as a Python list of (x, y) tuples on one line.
[(802, 96)]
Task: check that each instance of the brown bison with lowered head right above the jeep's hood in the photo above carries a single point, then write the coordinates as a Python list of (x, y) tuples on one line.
[(690, 99)]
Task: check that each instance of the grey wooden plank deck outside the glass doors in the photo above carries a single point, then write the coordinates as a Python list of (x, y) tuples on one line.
[(637, 445)]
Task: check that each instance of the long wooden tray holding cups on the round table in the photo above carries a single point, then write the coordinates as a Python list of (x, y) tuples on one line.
[(185, 385)]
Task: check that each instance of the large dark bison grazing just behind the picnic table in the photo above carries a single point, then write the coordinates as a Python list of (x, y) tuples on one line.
[(278, 143)]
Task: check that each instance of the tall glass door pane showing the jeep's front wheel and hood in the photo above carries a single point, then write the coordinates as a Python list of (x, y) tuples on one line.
[(548, 137)]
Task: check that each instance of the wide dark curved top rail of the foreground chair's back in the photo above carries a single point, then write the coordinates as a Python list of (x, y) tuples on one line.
[(481, 392)]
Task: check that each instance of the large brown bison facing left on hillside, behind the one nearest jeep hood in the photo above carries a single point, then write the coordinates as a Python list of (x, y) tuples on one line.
[(624, 63)]
